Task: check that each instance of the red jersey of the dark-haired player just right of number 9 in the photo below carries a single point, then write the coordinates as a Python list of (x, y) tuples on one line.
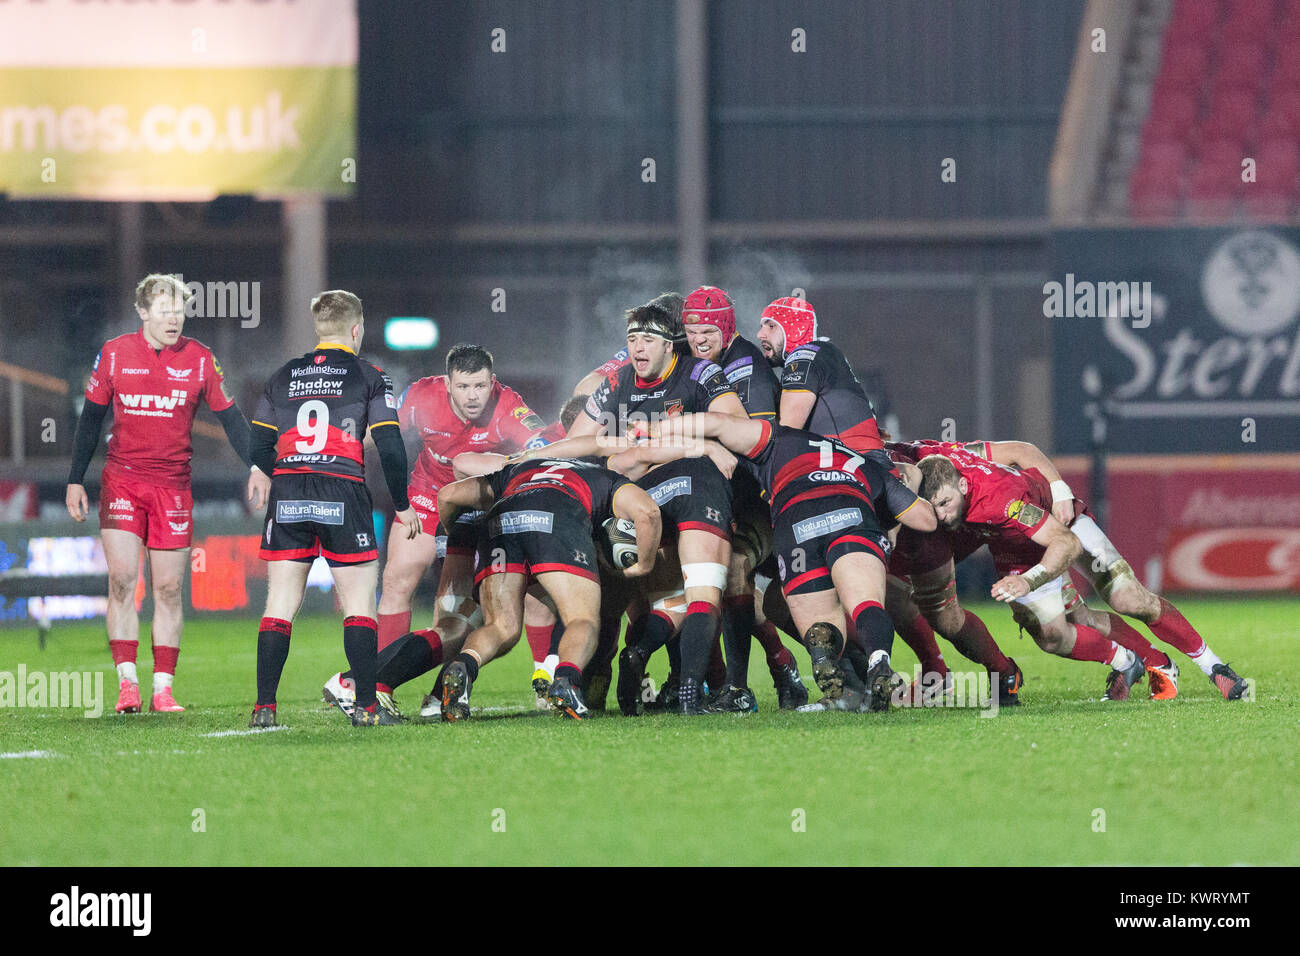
[(505, 426)]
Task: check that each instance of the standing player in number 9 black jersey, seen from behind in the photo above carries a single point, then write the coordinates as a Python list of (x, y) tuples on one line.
[(304, 438)]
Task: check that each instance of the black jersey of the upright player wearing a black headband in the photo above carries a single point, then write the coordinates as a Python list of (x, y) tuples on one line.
[(688, 386)]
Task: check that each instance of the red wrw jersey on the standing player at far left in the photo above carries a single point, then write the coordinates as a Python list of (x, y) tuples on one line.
[(155, 396)]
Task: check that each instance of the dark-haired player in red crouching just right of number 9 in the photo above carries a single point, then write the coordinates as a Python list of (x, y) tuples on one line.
[(463, 410)]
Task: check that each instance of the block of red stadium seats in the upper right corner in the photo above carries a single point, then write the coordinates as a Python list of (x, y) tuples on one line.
[(1228, 89)]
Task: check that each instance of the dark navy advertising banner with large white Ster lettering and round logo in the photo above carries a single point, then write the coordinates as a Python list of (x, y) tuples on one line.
[(1182, 340)]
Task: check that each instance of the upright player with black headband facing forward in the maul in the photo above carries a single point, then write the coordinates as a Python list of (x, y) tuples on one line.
[(660, 382)]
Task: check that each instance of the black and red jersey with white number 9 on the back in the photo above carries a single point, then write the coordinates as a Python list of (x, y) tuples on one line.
[(320, 406)]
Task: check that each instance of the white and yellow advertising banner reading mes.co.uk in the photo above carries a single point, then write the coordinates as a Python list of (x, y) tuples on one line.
[(181, 100)]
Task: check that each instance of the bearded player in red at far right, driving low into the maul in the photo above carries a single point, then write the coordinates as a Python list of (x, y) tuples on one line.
[(1034, 552)]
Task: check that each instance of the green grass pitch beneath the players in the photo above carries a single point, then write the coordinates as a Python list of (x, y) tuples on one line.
[(1064, 780)]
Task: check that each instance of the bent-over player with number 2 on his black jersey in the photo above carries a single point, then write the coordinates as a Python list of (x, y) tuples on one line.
[(540, 529)]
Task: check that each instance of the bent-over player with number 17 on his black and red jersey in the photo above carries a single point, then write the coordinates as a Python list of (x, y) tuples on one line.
[(831, 511)]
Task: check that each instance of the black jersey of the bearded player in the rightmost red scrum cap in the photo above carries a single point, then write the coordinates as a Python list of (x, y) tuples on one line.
[(843, 410)]
